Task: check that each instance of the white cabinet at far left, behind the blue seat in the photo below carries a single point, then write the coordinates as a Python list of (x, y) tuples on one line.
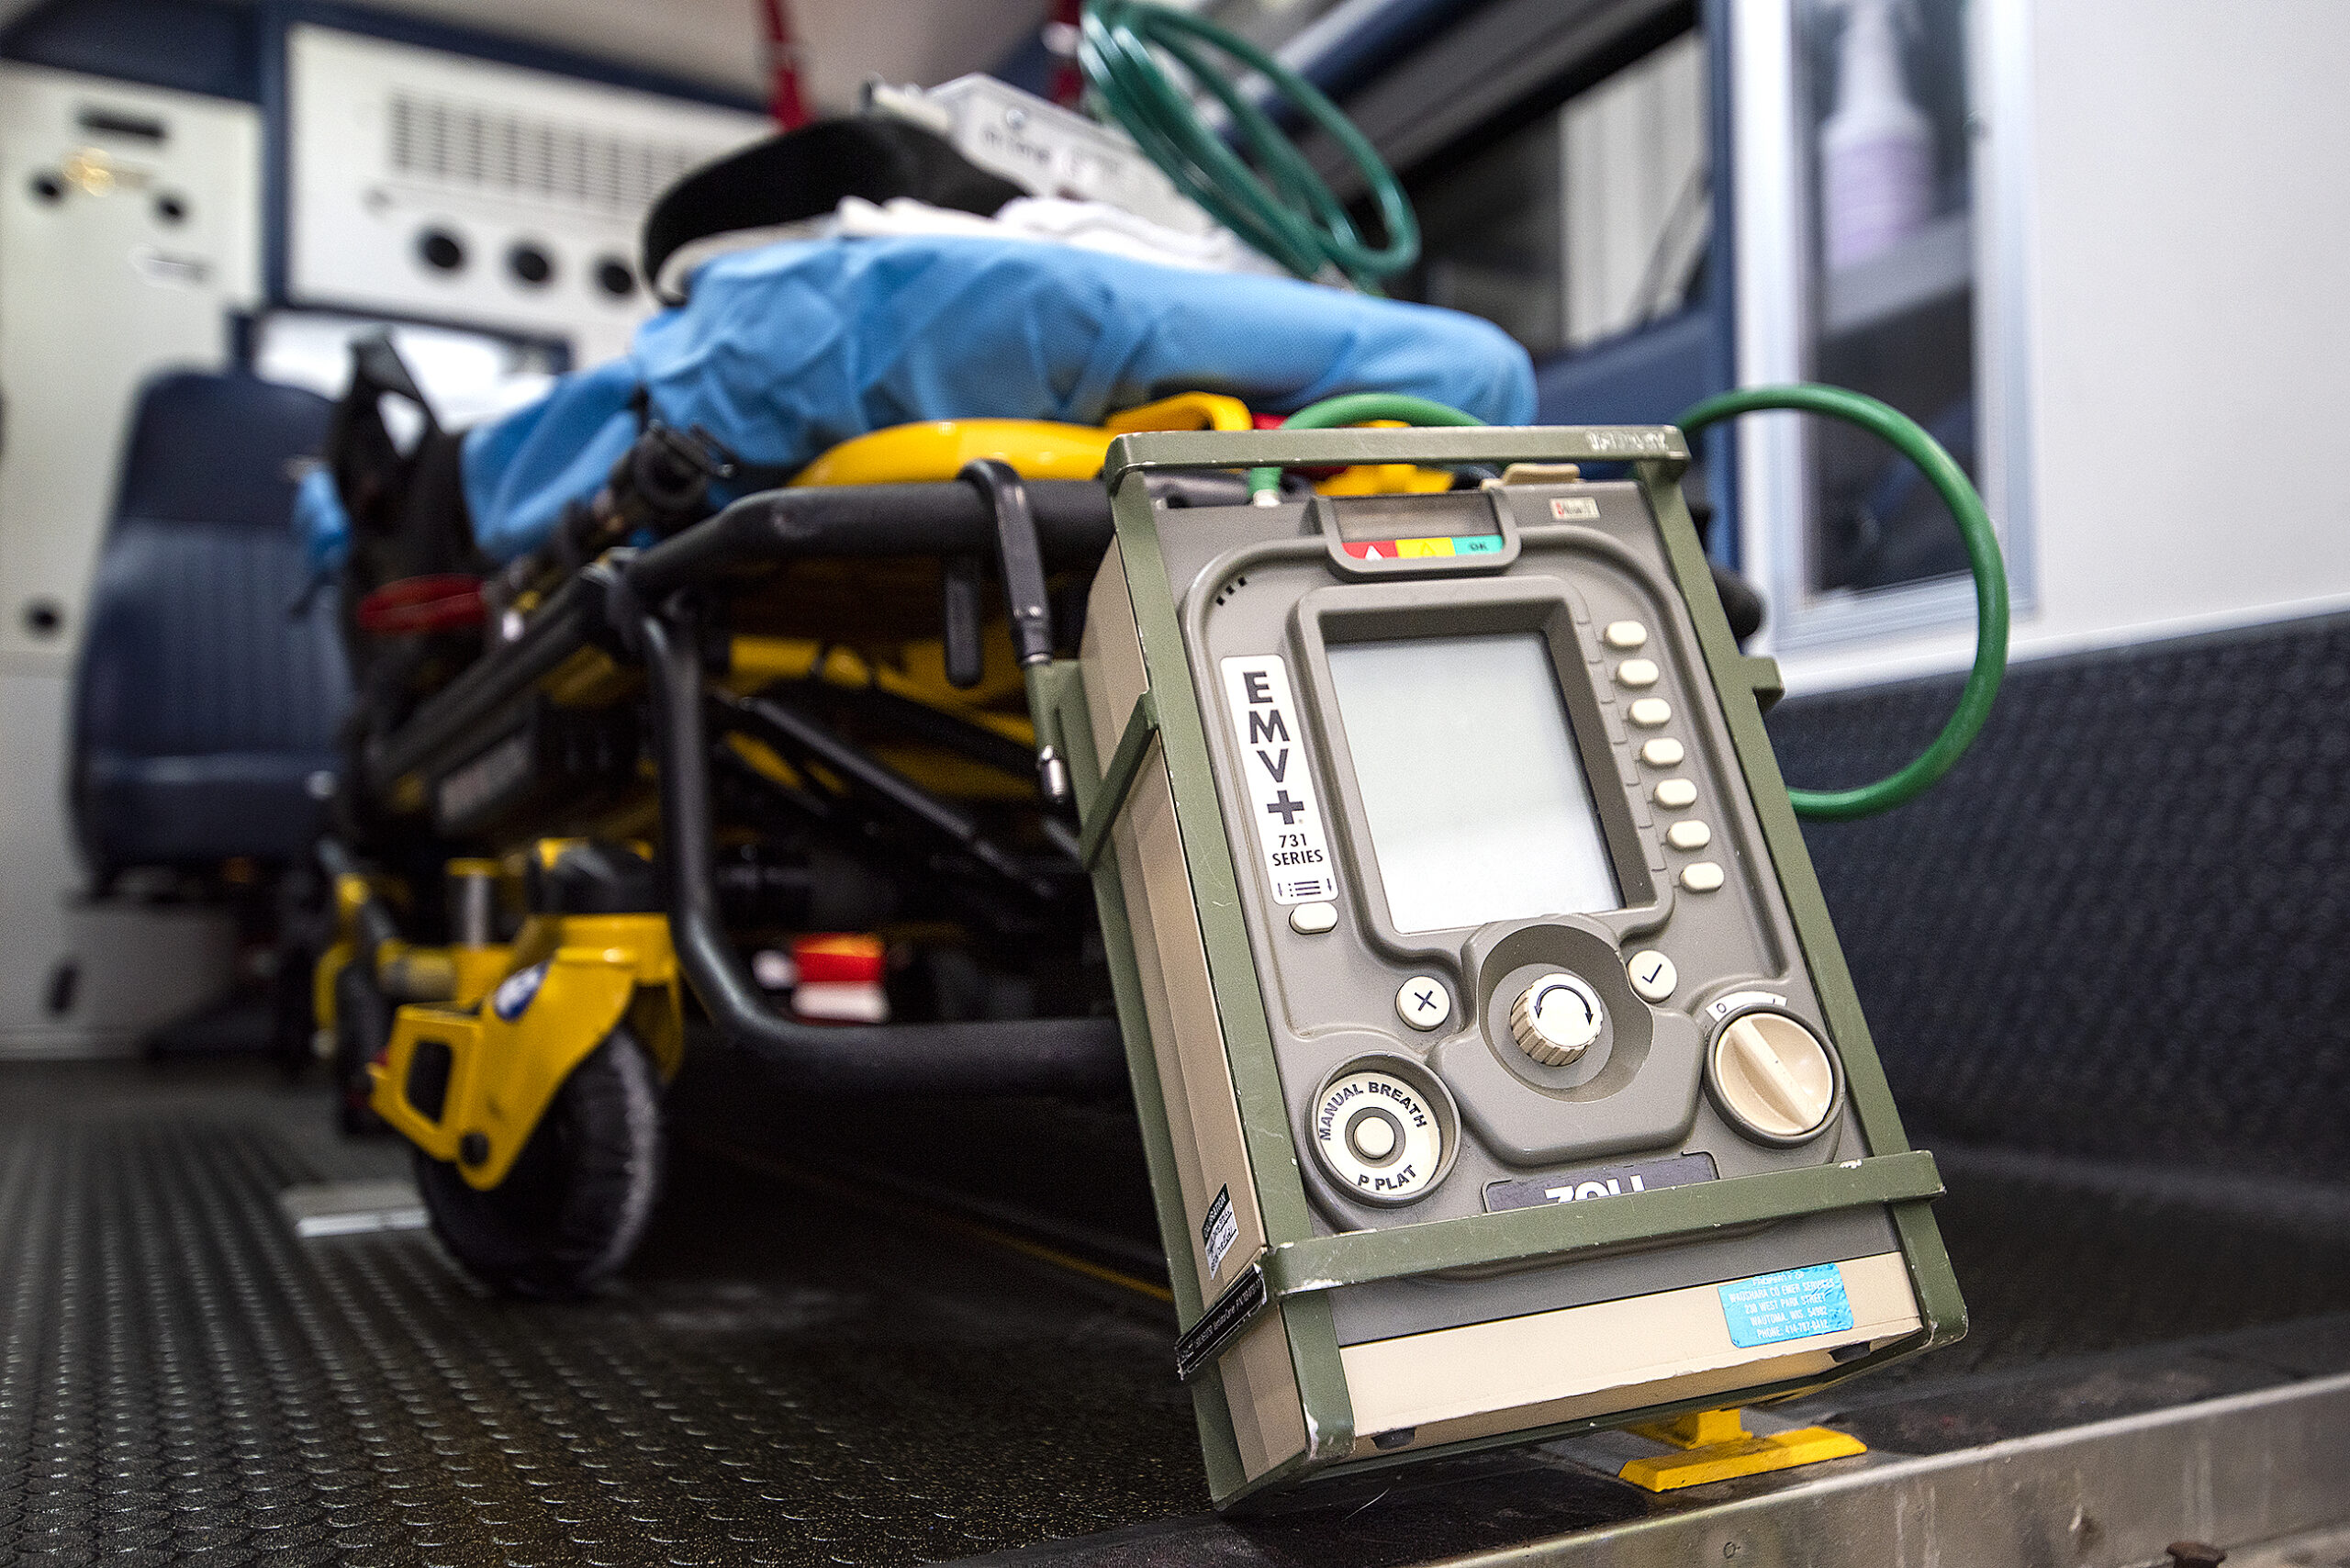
[(128, 236)]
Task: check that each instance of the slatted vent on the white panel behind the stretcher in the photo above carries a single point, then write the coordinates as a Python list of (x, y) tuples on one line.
[(476, 147)]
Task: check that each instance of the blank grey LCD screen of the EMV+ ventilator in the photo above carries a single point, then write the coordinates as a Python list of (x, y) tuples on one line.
[(1472, 782)]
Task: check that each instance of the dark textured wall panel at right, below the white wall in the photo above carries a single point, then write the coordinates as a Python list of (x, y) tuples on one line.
[(2123, 925)]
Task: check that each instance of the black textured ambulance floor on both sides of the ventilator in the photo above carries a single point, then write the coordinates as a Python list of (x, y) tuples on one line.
[(810, 1369)]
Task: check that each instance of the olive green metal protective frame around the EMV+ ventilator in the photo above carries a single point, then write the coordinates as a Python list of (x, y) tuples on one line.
[(1301, 1266)]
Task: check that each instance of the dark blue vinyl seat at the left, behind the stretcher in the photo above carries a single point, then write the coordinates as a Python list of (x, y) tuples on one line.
[(206, 711)]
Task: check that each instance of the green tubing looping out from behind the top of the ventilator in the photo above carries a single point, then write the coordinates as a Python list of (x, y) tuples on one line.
[(1886, 422)]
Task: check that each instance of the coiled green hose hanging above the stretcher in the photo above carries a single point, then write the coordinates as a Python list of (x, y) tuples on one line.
[(1289, 210)]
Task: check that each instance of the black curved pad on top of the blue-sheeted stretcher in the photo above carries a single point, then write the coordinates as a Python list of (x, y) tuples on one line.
[(807, 173)]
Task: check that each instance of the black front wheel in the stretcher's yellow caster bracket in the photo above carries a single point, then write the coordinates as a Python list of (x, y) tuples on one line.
[(579, 1198)]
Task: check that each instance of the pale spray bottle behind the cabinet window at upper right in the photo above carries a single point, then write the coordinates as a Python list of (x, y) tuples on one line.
[(1876, 152)]
